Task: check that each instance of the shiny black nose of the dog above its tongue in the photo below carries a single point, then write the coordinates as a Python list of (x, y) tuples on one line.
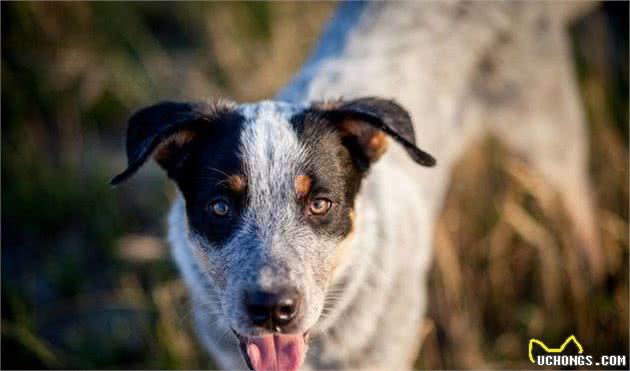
[(274, 311)]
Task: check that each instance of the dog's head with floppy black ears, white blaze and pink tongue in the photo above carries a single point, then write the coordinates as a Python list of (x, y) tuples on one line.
[(269, 190)]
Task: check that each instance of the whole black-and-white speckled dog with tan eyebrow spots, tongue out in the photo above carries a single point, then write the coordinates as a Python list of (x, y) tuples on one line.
[(303, 225)]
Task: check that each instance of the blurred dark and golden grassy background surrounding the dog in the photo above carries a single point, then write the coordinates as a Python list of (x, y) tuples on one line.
[(87, 280)]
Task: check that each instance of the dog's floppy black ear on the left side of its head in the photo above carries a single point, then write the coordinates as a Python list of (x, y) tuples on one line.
[(166, 131)]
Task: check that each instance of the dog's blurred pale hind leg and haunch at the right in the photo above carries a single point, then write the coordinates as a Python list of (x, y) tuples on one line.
[(526, 94)]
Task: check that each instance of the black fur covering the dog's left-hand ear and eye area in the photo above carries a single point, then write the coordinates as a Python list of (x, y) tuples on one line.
[(199, 164)]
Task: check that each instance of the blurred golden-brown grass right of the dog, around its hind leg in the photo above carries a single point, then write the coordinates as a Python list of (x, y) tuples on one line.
[(504, 267)]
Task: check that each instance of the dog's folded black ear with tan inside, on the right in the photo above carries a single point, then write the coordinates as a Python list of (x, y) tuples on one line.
[(363, 124)]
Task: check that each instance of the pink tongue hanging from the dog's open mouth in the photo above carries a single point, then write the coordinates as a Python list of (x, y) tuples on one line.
[(276, 352)]
